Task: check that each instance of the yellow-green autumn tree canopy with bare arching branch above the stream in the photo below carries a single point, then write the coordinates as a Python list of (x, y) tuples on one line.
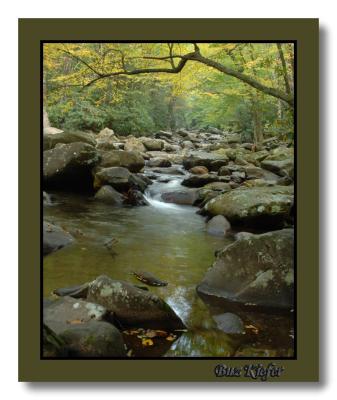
[(142, 87)]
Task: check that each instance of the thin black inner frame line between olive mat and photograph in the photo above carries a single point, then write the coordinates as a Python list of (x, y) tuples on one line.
[(294, 357)]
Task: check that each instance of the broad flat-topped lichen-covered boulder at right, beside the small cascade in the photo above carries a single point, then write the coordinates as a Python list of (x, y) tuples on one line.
[(267, 205)]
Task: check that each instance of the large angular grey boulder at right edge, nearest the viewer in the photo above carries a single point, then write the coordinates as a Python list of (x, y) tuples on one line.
[(254, 270)]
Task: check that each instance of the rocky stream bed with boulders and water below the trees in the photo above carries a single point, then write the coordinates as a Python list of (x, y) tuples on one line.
[(206, 215)]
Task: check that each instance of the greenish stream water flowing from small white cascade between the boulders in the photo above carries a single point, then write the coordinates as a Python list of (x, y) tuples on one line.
[(167, 240)]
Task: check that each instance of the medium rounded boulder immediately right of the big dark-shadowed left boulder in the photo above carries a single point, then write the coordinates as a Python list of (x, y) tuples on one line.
[(131, 160)]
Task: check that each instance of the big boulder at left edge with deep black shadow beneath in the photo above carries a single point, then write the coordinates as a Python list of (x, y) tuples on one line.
[(69, 166)]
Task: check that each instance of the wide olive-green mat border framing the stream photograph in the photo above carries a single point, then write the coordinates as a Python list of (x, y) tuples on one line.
[(31, 33)]
